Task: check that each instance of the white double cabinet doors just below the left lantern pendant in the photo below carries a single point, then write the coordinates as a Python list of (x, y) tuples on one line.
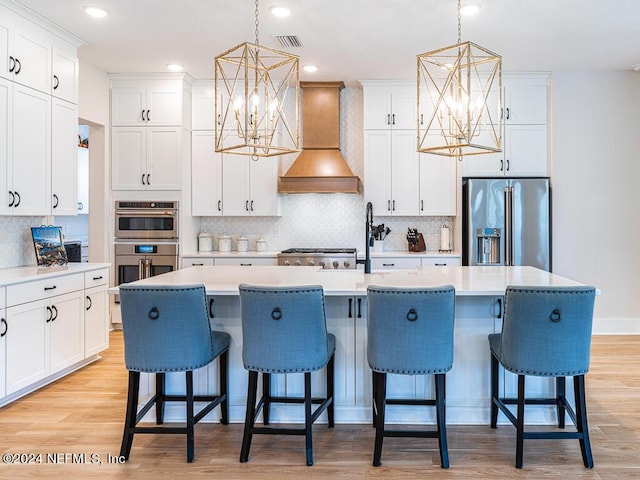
[(250, 187)]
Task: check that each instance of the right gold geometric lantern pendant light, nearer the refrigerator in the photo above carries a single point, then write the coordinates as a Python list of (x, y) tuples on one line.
[(459, 100)]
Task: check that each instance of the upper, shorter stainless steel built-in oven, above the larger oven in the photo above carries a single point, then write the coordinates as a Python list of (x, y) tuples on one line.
[(146, 220)]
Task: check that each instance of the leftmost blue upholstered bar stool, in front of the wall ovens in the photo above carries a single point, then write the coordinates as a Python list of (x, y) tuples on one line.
[(166, 329)]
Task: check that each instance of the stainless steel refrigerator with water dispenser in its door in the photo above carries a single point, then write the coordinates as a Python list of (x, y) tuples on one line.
[(506, 221)]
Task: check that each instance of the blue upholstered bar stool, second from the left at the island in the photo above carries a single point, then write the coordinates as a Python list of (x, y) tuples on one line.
[(284, 331)]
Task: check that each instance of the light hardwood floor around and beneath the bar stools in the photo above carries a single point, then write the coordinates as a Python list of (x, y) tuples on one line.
[(83, 414)]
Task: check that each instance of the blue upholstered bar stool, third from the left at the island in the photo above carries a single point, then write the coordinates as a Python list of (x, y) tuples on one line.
[(410, 332)]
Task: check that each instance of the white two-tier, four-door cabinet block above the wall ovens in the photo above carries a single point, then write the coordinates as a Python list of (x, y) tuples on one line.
[(149, 117)]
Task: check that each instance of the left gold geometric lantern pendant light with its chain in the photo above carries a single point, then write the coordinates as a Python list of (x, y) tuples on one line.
[(256, 100)]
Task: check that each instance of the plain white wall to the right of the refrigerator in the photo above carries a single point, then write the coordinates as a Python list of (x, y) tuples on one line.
[(596, 225)]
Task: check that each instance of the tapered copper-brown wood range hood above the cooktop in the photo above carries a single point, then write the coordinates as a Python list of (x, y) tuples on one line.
[(320, 168)]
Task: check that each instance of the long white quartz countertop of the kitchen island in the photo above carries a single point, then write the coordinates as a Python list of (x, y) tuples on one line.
[(468, 281)]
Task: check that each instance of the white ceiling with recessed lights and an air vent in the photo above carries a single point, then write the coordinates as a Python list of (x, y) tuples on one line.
[(351, 40)]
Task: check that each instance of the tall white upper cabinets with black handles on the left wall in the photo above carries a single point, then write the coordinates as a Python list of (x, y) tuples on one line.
[(38, 118)]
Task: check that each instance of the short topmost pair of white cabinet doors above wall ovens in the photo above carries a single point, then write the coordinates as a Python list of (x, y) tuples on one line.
[(147, 102)]
